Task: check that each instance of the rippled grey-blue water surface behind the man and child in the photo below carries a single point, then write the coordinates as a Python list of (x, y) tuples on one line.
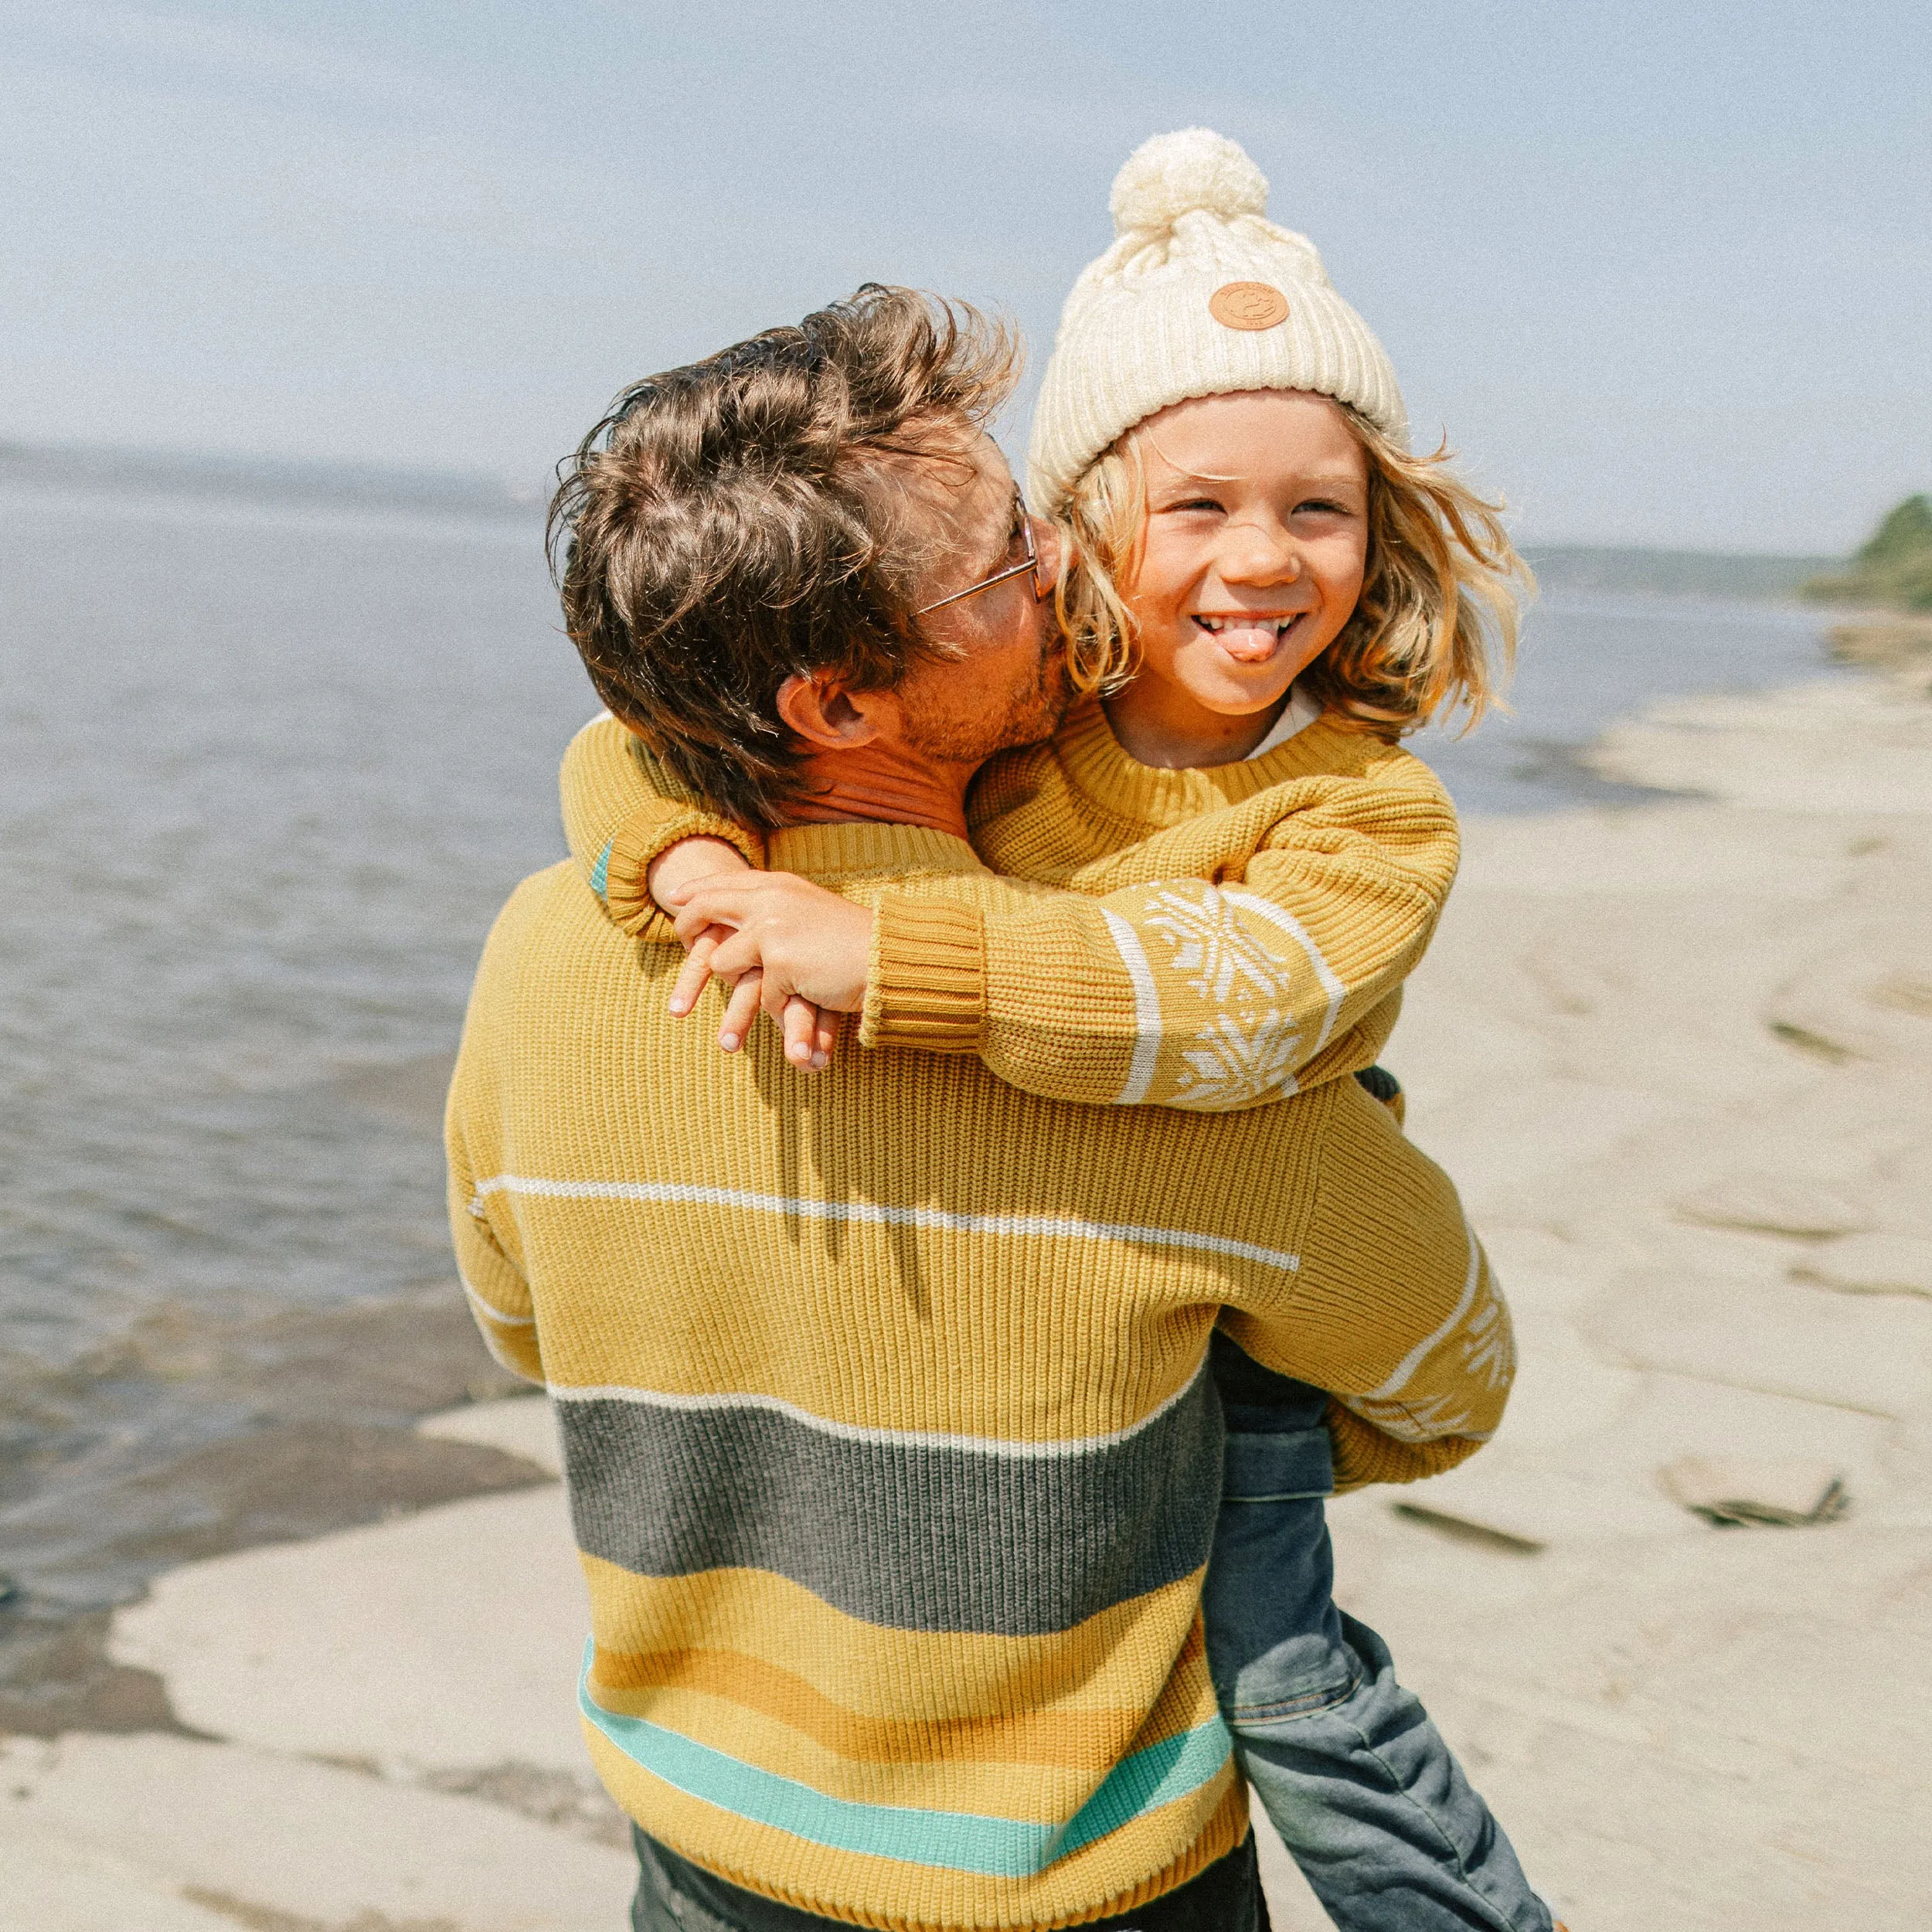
[(271, 756)]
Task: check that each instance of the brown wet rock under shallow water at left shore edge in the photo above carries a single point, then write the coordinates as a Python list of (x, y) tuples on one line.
[(318, 1411)]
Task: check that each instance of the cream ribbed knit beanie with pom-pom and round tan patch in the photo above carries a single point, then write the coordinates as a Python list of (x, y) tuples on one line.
[(1199, 297)]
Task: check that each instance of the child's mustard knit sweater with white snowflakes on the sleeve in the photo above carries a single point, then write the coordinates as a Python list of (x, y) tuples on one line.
[(1222, 938)]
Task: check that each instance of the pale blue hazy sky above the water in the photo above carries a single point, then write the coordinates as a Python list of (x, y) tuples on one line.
[(1662, 271)]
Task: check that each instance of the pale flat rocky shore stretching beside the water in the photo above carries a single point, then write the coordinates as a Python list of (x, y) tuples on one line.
[(1680, 1060)]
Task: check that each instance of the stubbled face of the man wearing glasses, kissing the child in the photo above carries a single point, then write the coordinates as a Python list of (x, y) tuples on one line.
[(1006, 681)]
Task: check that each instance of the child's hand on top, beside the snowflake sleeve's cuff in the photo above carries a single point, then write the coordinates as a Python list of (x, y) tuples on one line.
[(785, 944)]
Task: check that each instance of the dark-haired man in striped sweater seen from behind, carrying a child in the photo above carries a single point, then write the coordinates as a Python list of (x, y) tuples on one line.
[(892, 1450)]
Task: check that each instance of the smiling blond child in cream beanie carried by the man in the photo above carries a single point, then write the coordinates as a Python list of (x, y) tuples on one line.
[(1264, 590)]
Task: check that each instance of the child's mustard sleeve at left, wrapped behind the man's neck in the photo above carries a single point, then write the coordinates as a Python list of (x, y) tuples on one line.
[(621, 810)]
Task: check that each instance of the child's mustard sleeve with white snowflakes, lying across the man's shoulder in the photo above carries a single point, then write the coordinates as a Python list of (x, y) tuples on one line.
[(1193, 992)]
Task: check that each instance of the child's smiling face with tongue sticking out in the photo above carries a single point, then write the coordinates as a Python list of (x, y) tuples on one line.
[(1253, 555)]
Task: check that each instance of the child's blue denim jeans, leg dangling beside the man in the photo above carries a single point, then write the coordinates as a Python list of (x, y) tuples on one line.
[(1359, 1784)]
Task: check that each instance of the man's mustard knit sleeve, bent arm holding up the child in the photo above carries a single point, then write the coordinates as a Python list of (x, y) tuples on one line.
[(1394, 1313)]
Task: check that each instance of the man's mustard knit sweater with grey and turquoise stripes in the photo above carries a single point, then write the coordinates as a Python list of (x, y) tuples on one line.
[(892, 1452)]
